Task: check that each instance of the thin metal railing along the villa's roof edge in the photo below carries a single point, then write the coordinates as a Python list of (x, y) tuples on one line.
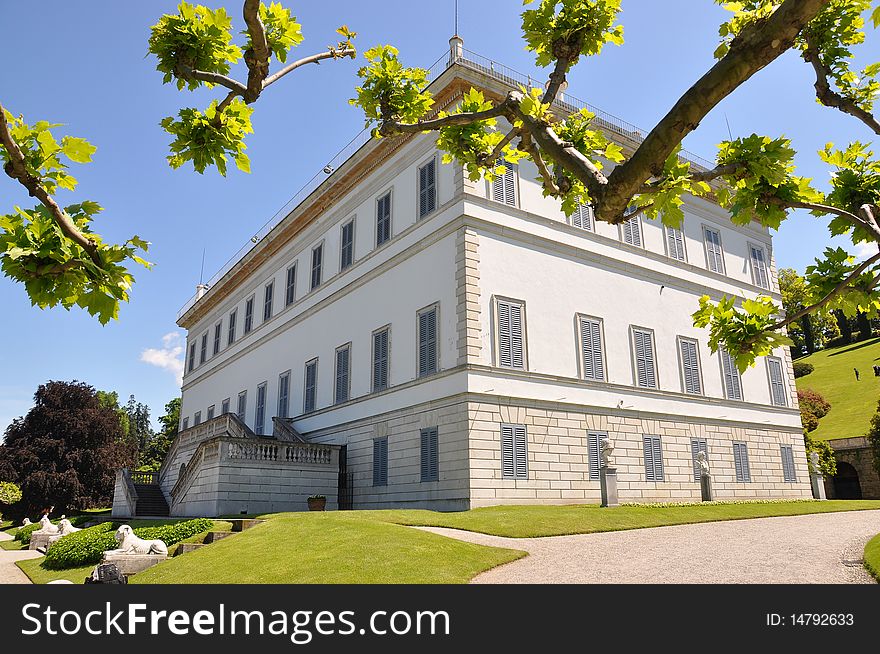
[(471, 60)]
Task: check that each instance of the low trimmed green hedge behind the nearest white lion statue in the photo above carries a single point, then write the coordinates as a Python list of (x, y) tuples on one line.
[(87, 547)]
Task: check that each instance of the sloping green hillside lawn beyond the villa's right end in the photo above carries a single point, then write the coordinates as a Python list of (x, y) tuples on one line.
[(852, 402)]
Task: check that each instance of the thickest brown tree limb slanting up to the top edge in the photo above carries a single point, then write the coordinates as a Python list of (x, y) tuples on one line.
[(754, 48)]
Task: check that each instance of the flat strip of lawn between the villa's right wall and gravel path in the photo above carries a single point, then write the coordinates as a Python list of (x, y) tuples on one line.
[(525, 521)]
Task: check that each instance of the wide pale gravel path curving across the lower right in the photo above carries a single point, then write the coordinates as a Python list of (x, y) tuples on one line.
[(817, 548)]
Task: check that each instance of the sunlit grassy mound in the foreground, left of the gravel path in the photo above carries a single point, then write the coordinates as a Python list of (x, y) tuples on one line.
[(329, 547)]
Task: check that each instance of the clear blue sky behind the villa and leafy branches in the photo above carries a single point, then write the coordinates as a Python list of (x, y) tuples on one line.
[(83, 64)]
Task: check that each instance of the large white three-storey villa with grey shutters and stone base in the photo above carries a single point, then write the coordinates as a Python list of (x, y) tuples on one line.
[(404, 337)]
